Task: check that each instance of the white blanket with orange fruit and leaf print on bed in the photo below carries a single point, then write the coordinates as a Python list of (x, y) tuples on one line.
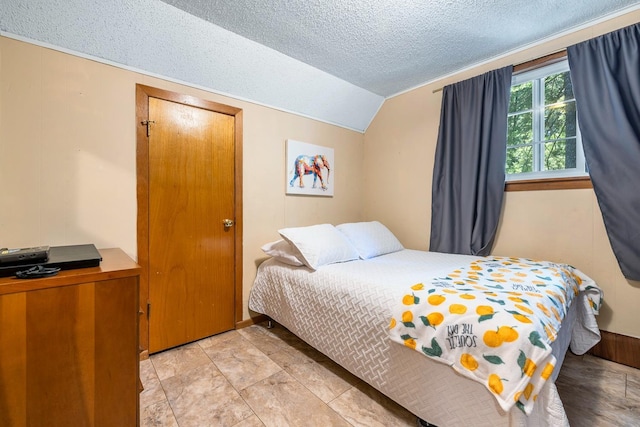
[(494, 321)]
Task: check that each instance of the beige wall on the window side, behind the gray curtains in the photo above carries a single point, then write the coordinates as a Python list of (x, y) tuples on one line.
[(565, 226)]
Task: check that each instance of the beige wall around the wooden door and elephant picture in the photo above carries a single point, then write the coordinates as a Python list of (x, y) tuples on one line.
[(67, 157)]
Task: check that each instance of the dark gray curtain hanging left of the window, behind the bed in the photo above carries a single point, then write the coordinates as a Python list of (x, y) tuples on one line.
[(469, 170)]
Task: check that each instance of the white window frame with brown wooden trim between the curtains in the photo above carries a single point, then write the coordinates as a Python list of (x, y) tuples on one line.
[(550, 179)]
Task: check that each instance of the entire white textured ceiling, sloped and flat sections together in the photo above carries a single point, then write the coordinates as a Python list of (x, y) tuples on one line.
[(331, 60)]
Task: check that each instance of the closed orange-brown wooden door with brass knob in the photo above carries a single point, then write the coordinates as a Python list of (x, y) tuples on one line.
[(190, 195)]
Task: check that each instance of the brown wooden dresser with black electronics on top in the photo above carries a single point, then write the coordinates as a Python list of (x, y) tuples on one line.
[(69, 346)]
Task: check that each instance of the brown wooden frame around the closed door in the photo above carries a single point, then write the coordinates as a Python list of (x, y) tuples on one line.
[(143, 93)]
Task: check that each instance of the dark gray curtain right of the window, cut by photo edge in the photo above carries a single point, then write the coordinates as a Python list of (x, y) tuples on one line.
[(605, 72)]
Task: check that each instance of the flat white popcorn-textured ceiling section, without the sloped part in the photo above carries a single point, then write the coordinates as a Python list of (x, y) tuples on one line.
[(389, 46)]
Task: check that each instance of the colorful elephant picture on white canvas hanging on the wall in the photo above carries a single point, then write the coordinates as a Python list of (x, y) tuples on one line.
[(309, 169)]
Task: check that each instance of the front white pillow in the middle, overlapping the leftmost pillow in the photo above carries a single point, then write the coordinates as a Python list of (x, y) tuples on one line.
[(319, 245)]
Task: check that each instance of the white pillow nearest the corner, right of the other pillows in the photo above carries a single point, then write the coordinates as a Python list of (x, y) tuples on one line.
[(370, 239)]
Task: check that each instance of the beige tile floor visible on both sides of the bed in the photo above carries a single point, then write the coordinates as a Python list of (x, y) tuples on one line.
[(260, 377)]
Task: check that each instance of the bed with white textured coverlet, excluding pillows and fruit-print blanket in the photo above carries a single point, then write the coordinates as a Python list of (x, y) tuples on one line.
[(343, 310)]
